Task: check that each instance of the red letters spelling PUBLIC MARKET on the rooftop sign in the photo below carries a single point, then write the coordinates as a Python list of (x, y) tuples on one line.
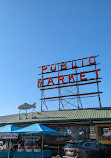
[(61, 79)]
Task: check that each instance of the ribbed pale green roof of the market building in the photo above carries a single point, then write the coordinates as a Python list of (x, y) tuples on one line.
[(58, 116)]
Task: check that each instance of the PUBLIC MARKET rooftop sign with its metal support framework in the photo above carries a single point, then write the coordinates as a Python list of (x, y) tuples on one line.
[(67, 78)]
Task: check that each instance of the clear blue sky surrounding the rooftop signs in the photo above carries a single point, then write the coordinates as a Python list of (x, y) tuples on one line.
[(41, 32)]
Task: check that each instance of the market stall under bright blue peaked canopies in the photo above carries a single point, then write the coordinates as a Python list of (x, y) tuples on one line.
[(29, 146)]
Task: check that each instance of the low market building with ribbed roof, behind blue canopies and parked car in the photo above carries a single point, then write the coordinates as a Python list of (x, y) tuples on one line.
[(72, 124)]
